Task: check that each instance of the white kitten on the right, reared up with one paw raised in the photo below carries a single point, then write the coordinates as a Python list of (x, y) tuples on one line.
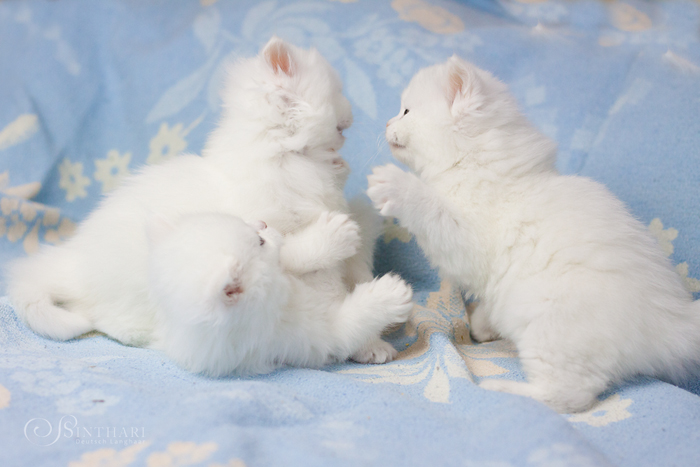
[(558, 263)]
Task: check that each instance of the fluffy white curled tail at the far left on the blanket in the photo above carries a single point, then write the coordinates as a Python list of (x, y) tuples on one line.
[(35, 283)]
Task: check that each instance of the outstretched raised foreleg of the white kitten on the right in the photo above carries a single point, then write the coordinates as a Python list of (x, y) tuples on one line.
[(446, 237)]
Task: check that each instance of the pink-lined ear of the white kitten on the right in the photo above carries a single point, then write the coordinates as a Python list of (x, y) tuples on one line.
[(463, 88)]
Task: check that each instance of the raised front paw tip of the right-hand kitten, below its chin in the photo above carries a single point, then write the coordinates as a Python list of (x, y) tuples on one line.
[(387, 187)]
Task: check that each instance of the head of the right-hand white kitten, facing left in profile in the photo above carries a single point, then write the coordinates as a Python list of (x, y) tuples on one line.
[(454, 113)]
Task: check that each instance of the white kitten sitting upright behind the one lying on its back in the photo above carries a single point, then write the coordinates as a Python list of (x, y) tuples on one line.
[(272, 157)]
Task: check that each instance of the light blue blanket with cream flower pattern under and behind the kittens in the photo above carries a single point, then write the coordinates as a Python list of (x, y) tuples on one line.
[(90, 91)]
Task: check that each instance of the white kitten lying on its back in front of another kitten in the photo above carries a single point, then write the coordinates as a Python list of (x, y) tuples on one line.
[(226, 306)]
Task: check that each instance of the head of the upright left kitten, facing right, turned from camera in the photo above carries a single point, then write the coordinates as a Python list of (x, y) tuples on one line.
[(289, 96)]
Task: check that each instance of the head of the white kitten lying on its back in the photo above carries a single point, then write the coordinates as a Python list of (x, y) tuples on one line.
[(212, 267)]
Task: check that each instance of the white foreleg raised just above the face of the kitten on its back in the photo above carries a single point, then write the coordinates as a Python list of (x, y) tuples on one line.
[(333, 238)]
